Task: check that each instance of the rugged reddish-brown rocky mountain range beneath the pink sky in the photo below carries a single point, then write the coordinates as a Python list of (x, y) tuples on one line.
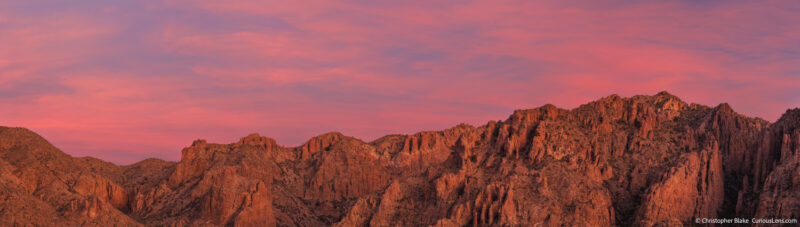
[(641, 161)]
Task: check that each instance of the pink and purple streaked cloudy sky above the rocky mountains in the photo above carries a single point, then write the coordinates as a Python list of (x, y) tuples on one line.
[(128, 80)]
